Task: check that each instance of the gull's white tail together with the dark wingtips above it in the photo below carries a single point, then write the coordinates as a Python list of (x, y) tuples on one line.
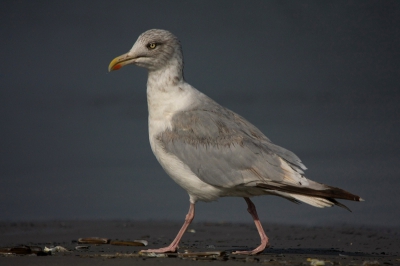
[(316, 194)]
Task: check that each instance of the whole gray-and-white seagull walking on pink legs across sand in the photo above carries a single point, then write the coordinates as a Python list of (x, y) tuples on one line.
[(209, 150)]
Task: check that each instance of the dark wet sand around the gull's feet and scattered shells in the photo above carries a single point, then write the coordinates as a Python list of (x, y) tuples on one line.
[(290, 245)]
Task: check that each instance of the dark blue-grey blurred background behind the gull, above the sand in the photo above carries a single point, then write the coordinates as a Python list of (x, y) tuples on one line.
[(319, 78)]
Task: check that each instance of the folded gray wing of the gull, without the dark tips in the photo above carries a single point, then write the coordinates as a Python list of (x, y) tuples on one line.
[(225, 150)]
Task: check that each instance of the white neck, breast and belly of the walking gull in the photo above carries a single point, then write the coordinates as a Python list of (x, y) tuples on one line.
[(167, 94)]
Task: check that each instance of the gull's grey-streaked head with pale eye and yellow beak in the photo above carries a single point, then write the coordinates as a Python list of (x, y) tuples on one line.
[(154, 49)]
